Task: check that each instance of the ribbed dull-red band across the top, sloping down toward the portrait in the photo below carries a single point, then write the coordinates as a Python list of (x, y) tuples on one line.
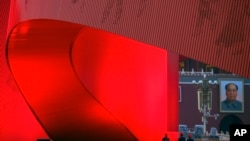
[(219, 38)]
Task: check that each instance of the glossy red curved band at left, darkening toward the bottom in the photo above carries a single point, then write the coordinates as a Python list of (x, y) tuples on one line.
[(39, 58)]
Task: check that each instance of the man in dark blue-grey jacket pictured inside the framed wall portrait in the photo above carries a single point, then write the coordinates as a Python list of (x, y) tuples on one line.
[(231, 103)]
